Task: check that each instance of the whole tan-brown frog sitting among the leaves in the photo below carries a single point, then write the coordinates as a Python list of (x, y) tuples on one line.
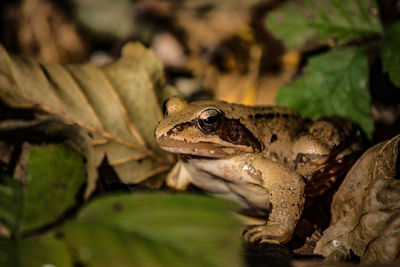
[(268, 159)]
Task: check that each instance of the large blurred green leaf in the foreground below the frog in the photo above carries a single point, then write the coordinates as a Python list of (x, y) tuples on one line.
[(156, 230)]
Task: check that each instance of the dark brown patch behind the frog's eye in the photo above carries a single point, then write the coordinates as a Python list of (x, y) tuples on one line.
[(234, 132)]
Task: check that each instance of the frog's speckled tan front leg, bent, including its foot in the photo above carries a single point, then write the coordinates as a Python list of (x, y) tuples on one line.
[(286, 189)]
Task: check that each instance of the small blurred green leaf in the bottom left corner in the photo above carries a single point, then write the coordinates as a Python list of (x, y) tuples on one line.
[(34, 251)]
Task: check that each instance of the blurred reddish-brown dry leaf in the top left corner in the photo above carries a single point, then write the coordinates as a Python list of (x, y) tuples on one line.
[(42, 30)]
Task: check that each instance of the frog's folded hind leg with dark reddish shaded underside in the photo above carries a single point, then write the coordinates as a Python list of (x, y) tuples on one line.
[(345, 142)]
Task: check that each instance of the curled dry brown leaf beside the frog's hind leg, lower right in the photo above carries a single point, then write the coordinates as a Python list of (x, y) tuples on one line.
[(366, 208)]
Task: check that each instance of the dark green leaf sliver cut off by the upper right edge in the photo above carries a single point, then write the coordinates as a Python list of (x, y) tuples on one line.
[(390, 53)]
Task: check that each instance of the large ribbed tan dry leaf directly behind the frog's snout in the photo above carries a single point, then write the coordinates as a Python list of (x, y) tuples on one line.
[(119, 104)]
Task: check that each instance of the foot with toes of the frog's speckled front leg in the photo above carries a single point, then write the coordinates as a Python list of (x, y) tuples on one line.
[(267, 233)]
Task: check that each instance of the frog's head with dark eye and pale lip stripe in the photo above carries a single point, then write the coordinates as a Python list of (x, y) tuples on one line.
[(203, 128)]
